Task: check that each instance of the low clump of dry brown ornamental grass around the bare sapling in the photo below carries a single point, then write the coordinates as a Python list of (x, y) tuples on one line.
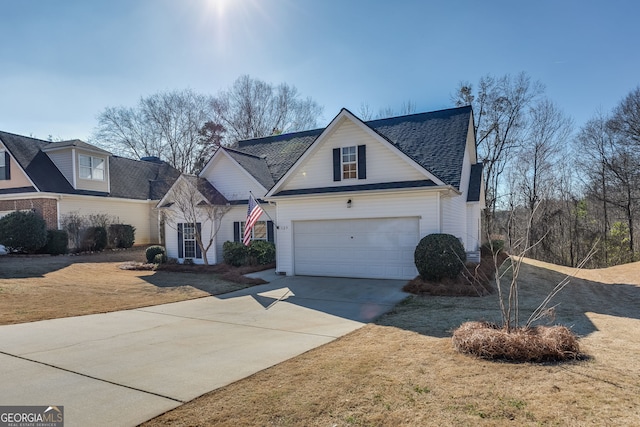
[(537, 344)]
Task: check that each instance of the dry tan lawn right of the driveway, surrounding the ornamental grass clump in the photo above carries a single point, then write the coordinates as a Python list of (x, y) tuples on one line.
[(403, 370)]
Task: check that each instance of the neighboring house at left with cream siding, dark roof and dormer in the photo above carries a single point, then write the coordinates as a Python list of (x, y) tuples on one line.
[(59, 178)]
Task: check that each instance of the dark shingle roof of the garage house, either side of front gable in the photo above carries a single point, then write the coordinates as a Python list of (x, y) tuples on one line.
[(436, 141)]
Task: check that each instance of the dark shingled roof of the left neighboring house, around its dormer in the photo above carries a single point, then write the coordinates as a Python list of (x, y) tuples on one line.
[(130, 179)]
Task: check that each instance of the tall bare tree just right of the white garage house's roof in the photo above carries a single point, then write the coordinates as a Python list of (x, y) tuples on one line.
[(500, 112)]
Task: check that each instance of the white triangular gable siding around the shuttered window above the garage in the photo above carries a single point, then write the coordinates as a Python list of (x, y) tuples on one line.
[(383, 164)]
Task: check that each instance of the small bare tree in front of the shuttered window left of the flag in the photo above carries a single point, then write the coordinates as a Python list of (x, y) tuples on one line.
[(194, 202)]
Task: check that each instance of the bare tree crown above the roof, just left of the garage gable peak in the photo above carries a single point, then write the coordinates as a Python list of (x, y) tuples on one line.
[(251, 108)]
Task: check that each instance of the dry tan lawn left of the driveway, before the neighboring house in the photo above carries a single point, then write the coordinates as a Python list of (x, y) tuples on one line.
[(45, 287)]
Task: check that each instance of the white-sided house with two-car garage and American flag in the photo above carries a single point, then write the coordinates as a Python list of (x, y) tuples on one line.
[(352, 199)]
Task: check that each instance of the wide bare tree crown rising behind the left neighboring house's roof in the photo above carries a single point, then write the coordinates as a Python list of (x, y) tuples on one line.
[(167, 125)]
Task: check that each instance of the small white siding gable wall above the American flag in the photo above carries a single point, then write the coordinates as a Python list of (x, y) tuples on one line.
[(230, 180)]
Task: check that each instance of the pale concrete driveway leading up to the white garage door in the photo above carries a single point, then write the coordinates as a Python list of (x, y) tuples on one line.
[(125, 367)]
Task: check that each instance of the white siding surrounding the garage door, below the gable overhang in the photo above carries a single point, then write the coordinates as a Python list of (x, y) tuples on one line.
[(421, 204)]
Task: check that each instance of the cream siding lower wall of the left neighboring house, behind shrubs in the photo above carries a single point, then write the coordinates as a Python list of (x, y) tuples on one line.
[(141, 214)]
